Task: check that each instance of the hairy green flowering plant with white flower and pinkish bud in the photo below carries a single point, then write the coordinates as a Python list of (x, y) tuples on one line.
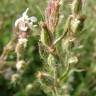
[(57, 54)]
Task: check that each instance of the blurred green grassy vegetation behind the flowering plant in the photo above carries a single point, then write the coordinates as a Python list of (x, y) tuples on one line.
[(85, 82)]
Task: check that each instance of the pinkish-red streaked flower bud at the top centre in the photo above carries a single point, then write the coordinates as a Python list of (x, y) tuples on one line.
[(52, 14)]
